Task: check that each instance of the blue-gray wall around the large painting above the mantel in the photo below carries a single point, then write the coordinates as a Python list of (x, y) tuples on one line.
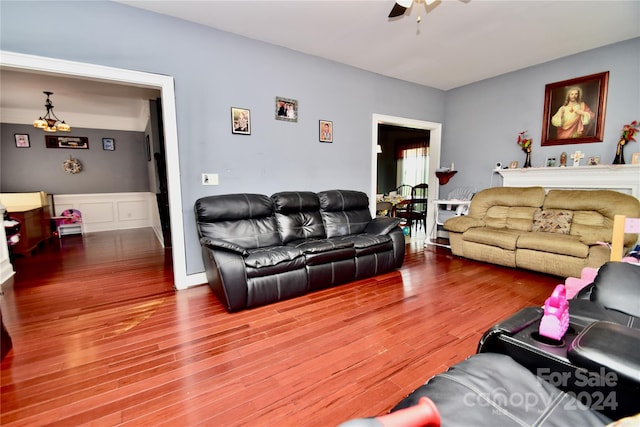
[(482, 120)]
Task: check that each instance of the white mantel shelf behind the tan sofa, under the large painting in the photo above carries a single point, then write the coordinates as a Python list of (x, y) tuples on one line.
[(623, 178)]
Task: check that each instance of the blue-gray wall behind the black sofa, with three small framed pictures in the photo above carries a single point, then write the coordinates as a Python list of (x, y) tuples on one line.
[(215, 71)]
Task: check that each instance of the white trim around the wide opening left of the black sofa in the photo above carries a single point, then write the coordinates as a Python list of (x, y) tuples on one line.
[(166, 86)]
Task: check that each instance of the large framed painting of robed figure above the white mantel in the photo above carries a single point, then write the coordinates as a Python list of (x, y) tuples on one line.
[(574, 110)]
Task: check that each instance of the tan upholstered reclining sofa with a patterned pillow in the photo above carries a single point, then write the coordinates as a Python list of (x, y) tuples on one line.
[(556, 232)]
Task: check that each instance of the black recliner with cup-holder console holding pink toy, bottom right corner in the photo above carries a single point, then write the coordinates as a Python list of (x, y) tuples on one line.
[(598, 359)]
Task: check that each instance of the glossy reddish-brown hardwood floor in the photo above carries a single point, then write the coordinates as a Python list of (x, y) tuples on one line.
[(101, 338)]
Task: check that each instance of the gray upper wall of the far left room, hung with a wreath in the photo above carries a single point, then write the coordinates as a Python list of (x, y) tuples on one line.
[(39, 168)]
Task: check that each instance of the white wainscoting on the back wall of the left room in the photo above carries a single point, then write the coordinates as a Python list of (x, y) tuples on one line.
[(112, 211)]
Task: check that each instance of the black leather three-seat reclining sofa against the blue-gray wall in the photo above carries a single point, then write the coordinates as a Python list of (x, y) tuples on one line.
[(258, 249)]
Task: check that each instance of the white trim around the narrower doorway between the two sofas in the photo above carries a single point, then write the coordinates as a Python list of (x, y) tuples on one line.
[(435, 130)]
